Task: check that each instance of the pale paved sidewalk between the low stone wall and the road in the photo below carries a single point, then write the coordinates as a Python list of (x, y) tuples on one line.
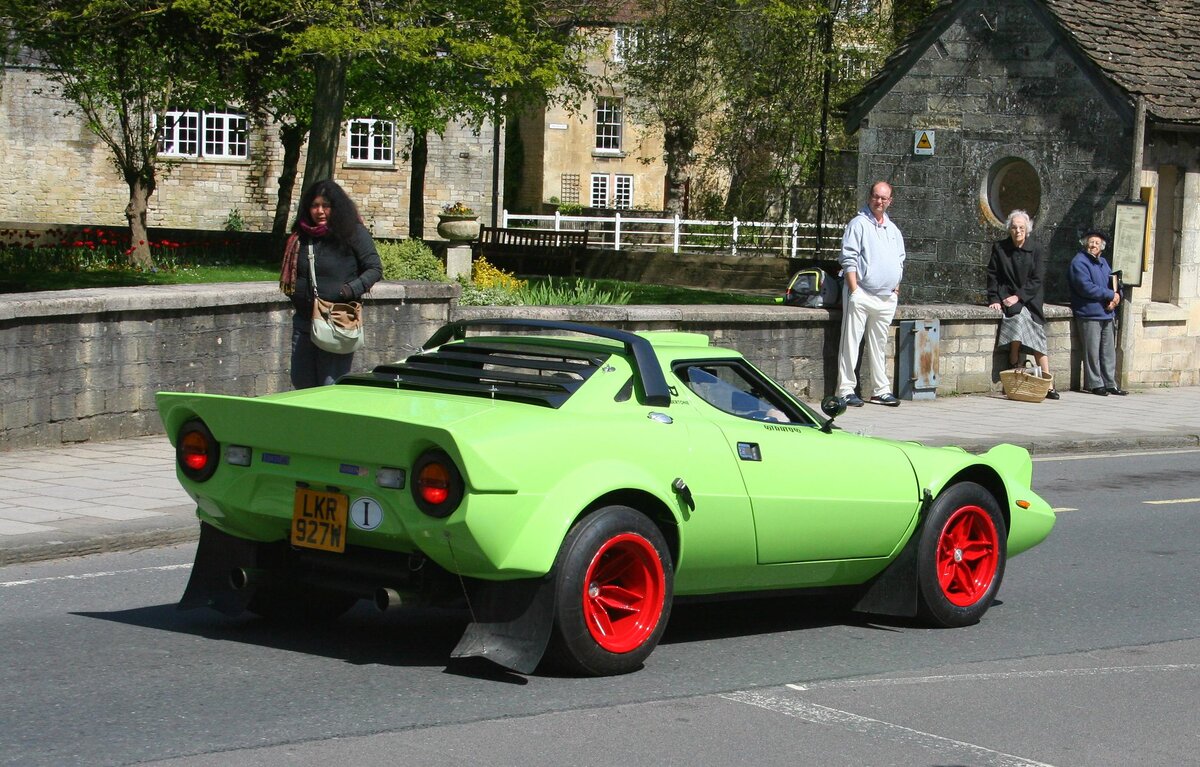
[(112, 496)]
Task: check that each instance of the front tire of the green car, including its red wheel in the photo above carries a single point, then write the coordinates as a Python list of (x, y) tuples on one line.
[(961, 558)]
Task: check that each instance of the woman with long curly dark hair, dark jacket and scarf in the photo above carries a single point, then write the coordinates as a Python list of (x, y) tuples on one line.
[(346, 265)]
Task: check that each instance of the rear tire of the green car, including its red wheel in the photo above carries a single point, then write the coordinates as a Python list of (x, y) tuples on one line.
[(611, 622)]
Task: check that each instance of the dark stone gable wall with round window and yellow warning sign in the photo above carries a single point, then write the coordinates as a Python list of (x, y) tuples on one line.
[(999, 85)]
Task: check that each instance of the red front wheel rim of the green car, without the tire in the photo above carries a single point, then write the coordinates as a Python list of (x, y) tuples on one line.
[(968, 556)]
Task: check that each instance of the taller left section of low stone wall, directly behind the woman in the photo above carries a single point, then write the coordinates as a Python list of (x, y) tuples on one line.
[(83, 365)]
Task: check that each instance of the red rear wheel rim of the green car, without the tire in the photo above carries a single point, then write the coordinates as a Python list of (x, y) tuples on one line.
[(623, 594)]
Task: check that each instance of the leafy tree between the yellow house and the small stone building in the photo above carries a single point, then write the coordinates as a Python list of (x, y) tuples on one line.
[(739, 87)]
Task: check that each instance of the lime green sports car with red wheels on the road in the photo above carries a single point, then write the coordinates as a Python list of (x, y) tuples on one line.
[(566, 483)]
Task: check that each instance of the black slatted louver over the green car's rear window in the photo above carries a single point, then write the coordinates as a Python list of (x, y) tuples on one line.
[(538, 375)]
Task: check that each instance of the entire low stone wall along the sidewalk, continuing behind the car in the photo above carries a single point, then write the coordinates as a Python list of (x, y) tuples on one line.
[(85, 365)]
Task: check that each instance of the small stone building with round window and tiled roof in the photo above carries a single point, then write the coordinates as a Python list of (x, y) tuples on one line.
[(1073, 111)]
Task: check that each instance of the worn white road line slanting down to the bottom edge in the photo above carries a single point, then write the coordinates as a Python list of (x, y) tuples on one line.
[(968, 753)]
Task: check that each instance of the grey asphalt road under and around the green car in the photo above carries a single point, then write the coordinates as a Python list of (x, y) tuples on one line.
[(1091, 657)]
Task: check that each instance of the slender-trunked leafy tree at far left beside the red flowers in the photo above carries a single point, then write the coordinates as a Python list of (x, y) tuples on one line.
[(123, 63)]
